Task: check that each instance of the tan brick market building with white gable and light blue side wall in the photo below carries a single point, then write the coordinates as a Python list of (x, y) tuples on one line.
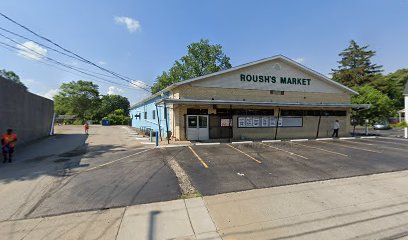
[(272, 98)]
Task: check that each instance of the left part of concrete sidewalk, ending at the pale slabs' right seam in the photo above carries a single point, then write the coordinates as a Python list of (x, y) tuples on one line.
[(179, 219)]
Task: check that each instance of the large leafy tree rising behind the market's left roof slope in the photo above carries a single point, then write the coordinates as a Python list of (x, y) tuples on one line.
[(202, 58)]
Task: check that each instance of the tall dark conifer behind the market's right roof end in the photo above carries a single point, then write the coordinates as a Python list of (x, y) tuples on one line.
[(356, 68)]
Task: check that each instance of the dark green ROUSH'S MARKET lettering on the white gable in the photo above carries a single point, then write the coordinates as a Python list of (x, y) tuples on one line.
[(274, 79)]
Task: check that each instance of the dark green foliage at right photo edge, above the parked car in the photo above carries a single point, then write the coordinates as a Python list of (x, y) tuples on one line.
[(393, 85)]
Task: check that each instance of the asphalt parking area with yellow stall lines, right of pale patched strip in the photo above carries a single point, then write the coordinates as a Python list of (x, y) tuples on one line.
[(215, 169)]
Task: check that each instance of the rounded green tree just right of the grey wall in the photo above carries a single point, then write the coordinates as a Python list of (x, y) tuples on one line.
[(79, 98)]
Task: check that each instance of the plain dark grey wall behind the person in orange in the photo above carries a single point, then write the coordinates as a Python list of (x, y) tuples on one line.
[(29, 115)]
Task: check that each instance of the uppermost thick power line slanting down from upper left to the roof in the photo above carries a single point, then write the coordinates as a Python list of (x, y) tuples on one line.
[(76, 55)]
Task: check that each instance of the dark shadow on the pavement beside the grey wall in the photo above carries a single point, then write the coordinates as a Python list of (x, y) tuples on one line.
[(53, 156)]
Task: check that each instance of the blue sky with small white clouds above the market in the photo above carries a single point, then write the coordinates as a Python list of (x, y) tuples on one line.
[(312, 32)]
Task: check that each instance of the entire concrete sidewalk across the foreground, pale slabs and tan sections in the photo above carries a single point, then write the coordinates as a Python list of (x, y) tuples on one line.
[(366, 207)]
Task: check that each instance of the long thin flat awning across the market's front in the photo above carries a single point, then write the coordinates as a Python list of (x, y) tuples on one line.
[(264, 104)]
